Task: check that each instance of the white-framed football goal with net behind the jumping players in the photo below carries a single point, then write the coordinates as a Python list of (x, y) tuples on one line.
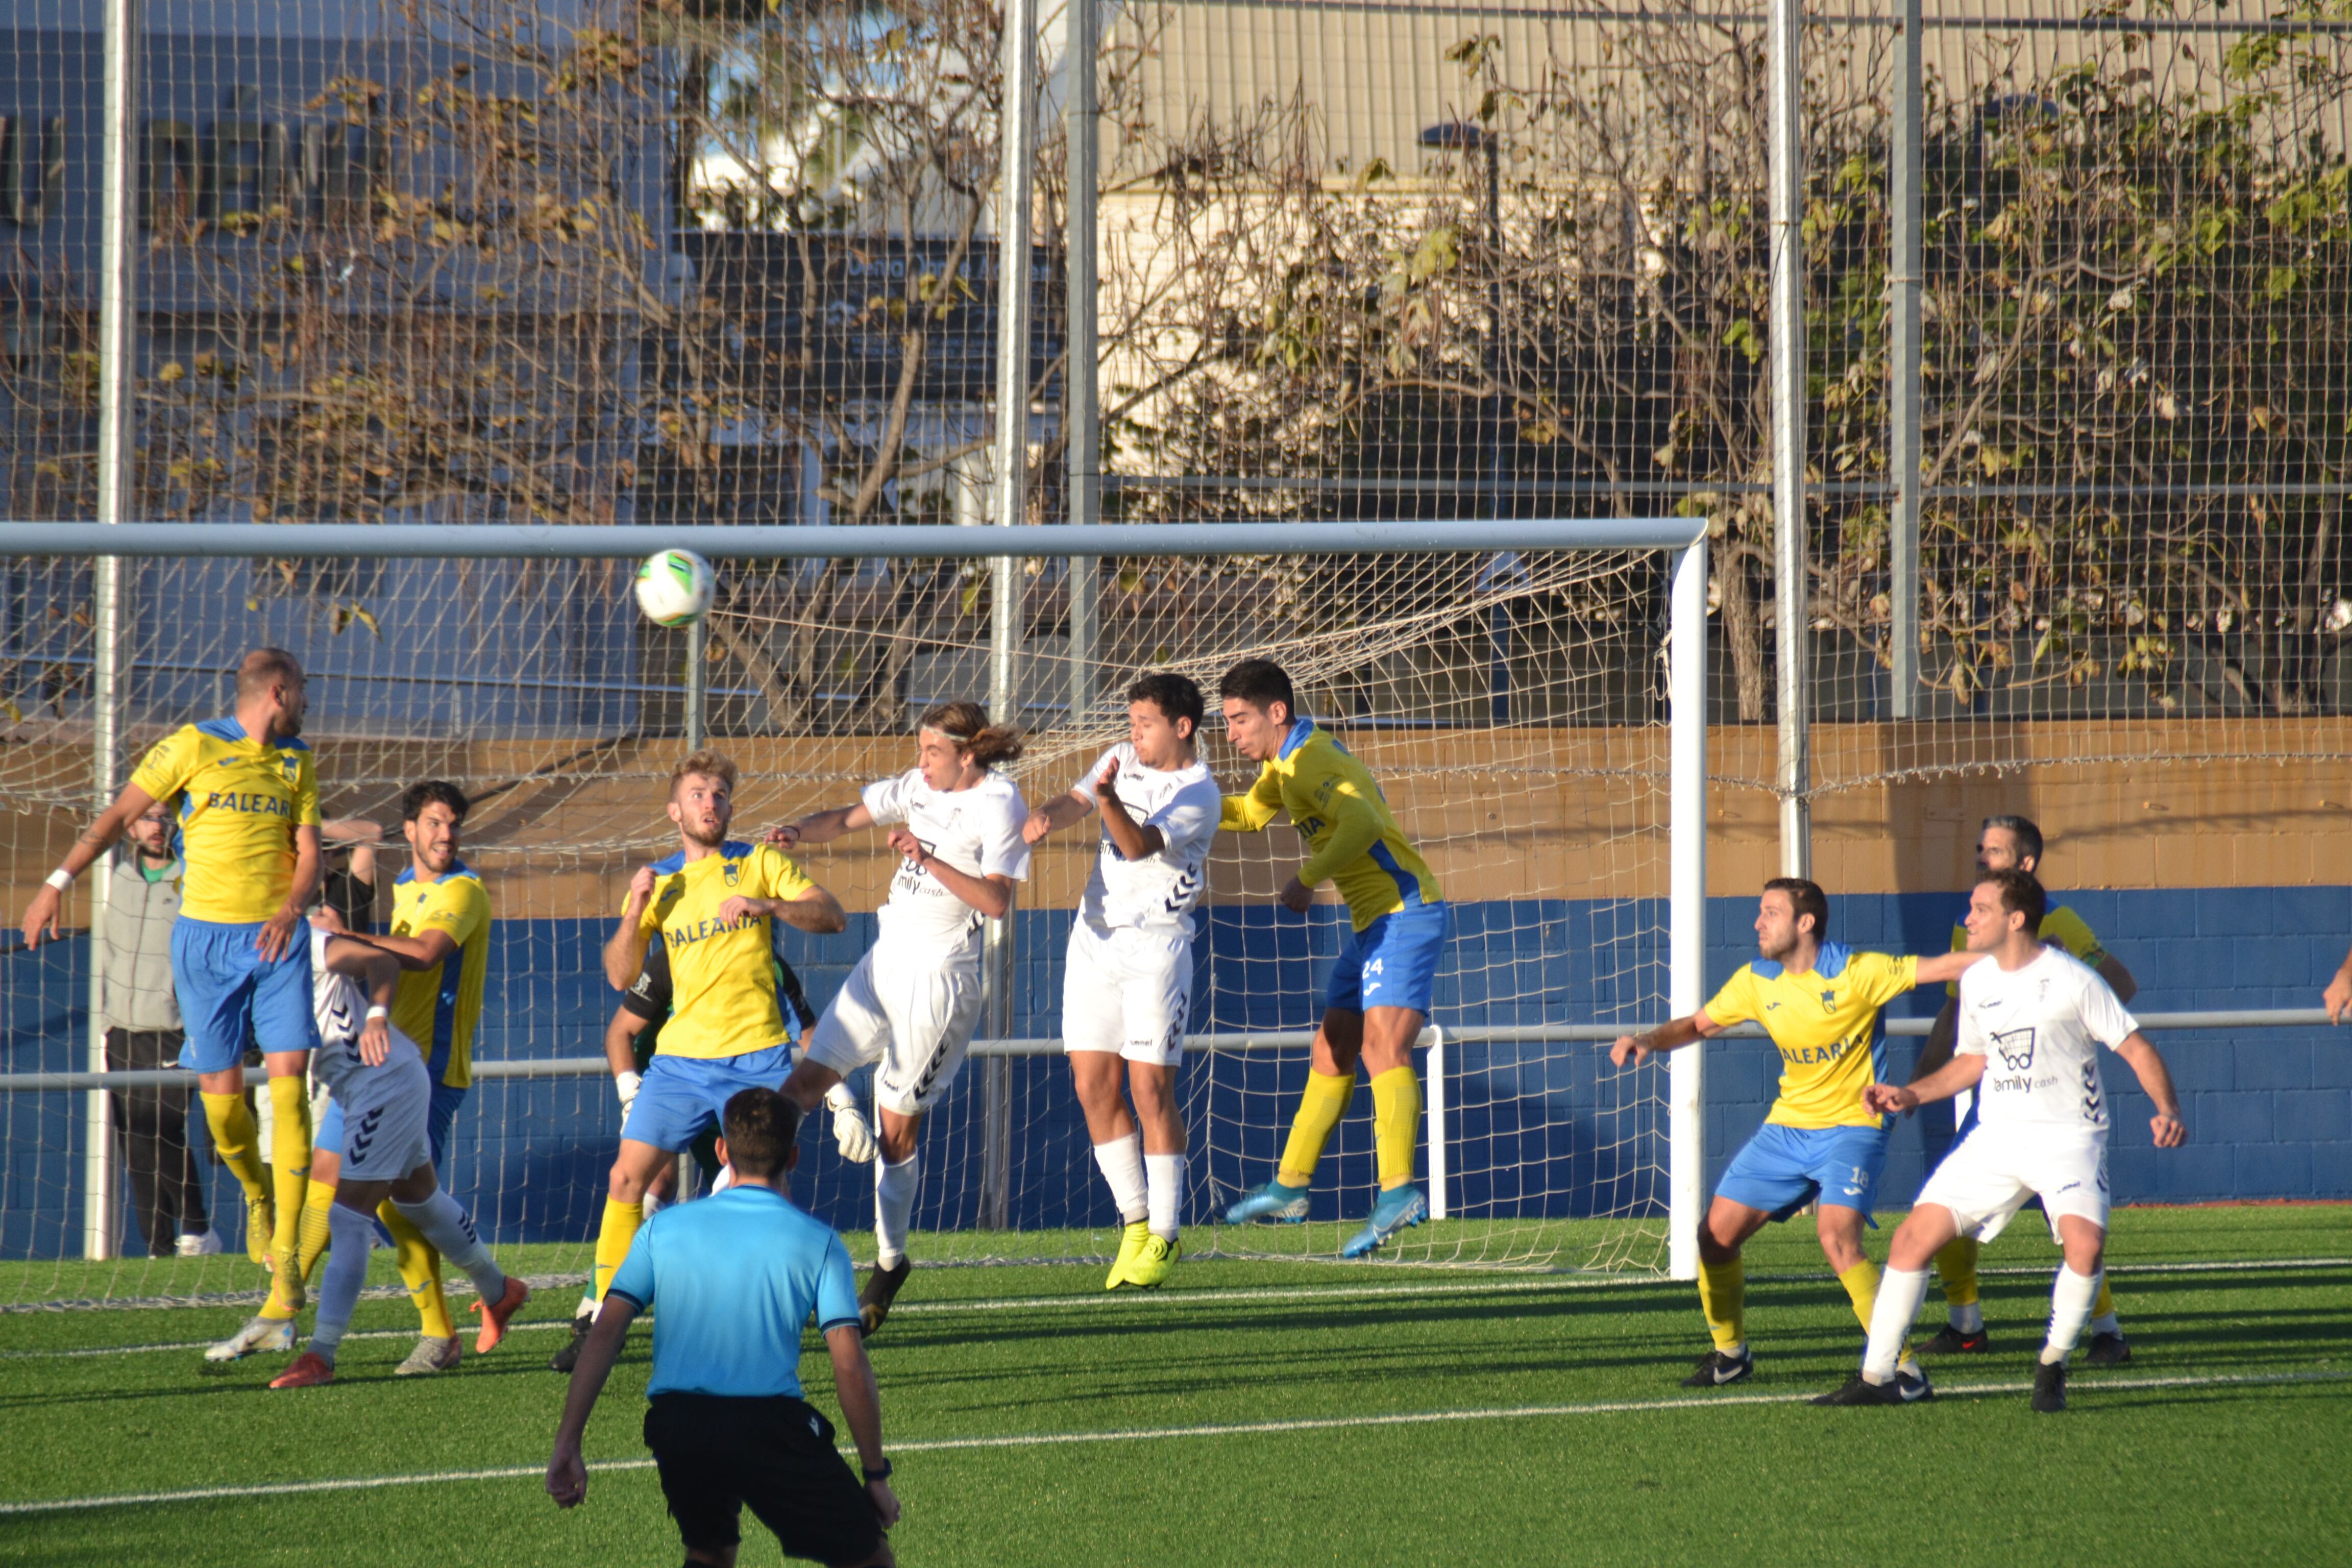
[(1549, 669)]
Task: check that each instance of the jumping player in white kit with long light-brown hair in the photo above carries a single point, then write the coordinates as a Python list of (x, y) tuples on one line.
[(916, 996)]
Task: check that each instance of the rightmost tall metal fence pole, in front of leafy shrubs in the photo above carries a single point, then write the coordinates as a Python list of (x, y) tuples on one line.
[(1906, 410)]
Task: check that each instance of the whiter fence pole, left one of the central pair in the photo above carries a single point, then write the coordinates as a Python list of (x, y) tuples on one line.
[(1008, 608)]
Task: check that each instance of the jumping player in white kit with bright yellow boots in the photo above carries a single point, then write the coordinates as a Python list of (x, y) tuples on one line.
[(1128, 981)]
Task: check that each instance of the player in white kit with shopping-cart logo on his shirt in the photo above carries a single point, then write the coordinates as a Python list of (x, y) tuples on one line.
[(2031, 1026)]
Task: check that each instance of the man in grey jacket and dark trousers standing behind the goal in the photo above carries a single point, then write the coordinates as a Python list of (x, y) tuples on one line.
[(145, 1033)]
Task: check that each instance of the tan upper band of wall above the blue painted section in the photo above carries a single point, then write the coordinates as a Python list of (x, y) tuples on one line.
[(1499, 815)]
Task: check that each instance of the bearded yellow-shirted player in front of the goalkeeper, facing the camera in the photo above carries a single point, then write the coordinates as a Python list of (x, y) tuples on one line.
[(714, 906)]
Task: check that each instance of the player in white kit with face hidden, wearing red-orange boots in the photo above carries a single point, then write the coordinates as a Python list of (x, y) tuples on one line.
[(380, 1078)]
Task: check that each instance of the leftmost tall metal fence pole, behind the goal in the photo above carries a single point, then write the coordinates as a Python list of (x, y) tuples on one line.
[(119, 349)]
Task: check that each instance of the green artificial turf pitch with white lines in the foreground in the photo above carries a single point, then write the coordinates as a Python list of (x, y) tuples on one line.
[(2149, 1466)]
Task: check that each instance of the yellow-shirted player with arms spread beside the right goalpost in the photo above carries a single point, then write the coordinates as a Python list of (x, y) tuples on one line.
[(1819, 1003)]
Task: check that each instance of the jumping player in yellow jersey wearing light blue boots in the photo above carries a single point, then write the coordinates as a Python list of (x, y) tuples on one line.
[(1379, 991)]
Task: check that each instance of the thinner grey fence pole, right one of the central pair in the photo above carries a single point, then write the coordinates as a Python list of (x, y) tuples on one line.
[(1081, 394)]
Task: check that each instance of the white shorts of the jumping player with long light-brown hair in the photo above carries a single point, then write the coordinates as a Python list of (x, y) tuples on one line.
[(911, 1017)]
